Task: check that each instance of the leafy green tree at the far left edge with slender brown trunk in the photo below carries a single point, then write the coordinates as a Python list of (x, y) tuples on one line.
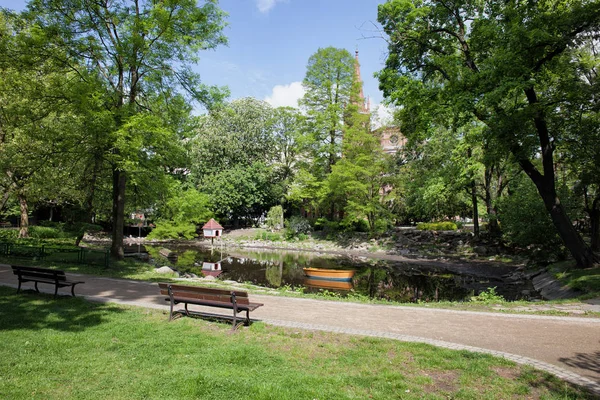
[(41, 131)]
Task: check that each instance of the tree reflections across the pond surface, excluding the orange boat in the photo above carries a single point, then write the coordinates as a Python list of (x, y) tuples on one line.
[(394, 281)]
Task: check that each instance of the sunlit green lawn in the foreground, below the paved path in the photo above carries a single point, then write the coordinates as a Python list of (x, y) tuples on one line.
[(68, 348)]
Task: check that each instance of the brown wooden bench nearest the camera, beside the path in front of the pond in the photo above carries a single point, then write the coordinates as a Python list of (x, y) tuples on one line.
[(233, 299)]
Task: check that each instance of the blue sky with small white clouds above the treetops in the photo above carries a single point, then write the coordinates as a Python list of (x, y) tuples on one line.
[(270, 42)]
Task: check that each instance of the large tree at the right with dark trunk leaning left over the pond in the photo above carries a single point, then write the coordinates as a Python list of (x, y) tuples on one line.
[(507, 64)]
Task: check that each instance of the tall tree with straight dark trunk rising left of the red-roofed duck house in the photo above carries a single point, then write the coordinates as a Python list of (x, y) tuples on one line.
[(141, 51)]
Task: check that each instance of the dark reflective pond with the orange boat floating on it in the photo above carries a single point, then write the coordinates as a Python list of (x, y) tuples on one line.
[(391, 280)]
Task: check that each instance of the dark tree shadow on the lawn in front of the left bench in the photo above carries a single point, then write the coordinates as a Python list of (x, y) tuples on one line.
[(29, 310)]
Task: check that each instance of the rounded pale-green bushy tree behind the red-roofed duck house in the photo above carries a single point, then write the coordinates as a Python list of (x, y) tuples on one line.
[(236, 159)]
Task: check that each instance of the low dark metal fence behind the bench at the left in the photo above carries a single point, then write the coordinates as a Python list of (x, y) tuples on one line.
[(77, 255)]
